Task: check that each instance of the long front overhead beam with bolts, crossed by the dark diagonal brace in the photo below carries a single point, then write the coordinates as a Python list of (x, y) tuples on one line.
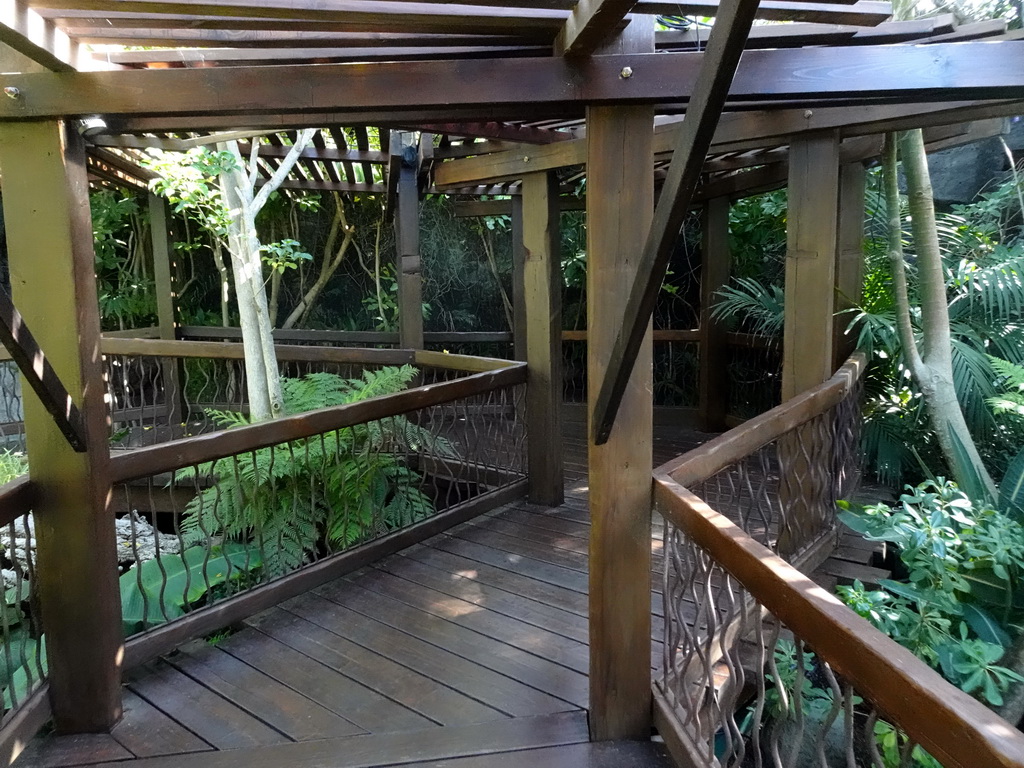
[(941, 72)]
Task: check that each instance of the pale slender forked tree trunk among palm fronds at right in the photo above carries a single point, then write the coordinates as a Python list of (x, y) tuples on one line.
[(932, 366)]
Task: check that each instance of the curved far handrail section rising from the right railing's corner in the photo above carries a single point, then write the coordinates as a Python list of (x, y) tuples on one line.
[(738, 444)]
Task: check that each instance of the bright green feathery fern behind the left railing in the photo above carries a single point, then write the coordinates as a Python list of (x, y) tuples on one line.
[(320, 494)]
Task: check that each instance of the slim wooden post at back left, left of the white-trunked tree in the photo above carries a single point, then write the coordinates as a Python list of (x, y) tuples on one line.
[(163, 248)]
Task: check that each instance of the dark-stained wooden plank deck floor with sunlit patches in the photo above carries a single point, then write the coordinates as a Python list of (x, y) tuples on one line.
[(462, 652)]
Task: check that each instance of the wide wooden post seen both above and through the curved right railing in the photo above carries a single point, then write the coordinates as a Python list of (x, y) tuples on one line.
[(807, 355)]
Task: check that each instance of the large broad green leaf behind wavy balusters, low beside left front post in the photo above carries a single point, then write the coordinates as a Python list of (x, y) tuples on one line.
[(166, 587)]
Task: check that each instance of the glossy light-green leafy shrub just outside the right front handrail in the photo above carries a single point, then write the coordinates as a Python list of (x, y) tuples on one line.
[(961, 602)]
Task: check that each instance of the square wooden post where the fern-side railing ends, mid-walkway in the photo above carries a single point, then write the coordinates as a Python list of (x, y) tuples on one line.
[(543, 301)]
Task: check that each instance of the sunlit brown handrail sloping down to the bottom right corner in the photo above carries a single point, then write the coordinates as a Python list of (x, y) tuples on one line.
[(956, 729)]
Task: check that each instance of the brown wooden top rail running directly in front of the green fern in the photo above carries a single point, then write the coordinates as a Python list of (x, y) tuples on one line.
[(177, 454)]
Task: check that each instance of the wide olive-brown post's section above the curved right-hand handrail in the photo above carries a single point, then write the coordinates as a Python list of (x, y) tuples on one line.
[(810, 263)]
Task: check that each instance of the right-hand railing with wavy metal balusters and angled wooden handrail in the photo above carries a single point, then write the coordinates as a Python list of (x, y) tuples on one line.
[(763, 667)]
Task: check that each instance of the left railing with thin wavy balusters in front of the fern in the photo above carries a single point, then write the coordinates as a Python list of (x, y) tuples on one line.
[(219, 526)]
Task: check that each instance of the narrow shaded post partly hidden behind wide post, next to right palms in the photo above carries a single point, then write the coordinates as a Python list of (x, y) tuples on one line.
[(849, 258)]
